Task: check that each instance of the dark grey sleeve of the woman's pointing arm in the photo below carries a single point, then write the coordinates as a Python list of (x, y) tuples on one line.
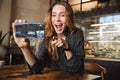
[(76, 43)]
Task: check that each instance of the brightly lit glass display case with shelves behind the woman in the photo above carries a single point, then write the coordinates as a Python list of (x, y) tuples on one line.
[(103, 39)]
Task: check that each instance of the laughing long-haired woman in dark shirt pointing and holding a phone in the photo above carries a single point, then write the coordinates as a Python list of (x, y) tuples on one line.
[(62, 49)]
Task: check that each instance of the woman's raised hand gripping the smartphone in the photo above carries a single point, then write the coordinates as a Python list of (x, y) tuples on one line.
[(21, 42)]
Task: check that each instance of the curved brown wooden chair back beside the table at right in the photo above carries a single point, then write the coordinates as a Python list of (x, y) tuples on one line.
[(94, 67)]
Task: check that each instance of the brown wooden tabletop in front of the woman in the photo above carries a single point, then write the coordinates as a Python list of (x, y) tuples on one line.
[(18, 72)]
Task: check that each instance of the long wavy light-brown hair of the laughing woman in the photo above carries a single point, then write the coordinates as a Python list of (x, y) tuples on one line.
[(49, 30)]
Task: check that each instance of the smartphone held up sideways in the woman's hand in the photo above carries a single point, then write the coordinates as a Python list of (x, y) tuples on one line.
[(30, 30)]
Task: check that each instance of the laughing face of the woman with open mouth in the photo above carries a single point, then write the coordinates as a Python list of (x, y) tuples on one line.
[(58, 18)]
